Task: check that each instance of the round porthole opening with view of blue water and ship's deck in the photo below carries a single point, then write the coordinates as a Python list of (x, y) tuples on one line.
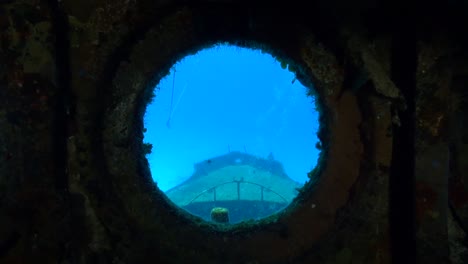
[(231, 134)]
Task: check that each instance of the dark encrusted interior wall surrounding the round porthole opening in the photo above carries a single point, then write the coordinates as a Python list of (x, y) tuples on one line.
[(74, 184)]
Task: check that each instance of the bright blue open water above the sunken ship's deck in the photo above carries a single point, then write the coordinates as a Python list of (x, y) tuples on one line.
[(225, 99)]
